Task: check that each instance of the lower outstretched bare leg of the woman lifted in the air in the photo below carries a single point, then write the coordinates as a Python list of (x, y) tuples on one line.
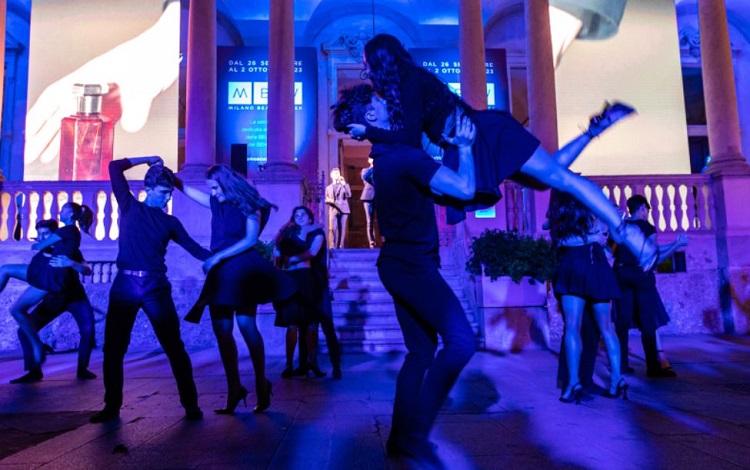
[(542, 166)]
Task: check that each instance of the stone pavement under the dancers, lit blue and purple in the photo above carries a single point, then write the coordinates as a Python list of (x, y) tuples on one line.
[(503, 413)]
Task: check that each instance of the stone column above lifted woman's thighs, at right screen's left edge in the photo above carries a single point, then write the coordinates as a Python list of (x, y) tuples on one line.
[(540, 75)]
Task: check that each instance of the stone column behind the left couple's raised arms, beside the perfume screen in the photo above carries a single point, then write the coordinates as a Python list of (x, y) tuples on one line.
[(200, 113)]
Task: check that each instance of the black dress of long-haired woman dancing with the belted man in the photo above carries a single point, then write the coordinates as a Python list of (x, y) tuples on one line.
[(244, 280)]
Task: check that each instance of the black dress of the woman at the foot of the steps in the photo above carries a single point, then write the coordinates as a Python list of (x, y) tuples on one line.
[(310, 302)]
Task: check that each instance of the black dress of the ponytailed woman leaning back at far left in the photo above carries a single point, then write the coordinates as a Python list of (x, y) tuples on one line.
[(41, 275)]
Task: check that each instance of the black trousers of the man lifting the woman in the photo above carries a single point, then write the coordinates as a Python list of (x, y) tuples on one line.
[(425, 307)]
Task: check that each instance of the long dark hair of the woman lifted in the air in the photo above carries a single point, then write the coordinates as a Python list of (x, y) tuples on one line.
[(387, 59)]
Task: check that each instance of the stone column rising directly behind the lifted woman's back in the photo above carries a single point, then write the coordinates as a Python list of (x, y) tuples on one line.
[(471, 50)]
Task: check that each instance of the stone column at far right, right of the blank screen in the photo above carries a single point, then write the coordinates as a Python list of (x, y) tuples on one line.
[(724, 138)]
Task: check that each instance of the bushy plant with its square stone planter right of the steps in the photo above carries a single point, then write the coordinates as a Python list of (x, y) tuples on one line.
[(512, 270)]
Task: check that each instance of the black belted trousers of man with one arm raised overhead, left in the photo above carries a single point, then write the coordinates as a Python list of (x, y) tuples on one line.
[(153, 294)]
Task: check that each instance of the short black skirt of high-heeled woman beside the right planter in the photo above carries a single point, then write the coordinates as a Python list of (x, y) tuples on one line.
[(584, 271)]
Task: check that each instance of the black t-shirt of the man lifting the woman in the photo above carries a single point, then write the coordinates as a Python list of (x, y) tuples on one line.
[(406, 212)]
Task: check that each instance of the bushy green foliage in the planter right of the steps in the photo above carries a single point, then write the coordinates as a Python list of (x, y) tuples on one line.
[(498, 253)]
